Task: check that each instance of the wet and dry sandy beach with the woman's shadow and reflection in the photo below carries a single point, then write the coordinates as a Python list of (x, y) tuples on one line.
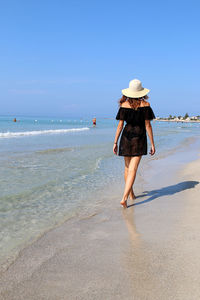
[(148, 251)]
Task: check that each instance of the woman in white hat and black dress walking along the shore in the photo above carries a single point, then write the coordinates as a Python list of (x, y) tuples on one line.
[(136, 111)]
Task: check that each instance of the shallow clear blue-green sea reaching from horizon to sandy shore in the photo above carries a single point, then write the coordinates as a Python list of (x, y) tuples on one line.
[(54, 169)]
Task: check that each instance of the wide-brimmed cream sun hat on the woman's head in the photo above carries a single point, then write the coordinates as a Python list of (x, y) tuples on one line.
[(135, 89)]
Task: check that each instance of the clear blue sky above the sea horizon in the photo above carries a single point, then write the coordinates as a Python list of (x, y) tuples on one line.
[(72, 58)]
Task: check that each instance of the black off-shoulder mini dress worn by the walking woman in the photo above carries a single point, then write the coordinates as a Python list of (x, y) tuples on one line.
[(133, 141)]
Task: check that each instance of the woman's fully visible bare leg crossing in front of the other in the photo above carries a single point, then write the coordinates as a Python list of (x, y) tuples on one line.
[(132, 170)]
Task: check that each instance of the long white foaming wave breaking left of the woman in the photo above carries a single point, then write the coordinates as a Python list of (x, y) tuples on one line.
[(9, 134)]
